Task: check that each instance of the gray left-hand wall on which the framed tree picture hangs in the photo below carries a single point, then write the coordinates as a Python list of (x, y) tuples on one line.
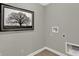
[(24, 42)]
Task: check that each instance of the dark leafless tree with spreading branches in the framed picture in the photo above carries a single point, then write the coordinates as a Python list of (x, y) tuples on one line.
[(19, 18)]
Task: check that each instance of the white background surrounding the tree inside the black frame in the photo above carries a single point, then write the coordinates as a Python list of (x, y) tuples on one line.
[(8, 11)]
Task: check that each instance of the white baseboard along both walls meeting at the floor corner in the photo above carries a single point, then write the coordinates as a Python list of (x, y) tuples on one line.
[(49, 49)]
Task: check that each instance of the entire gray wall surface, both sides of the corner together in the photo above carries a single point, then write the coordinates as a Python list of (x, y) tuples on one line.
[(66, 16)]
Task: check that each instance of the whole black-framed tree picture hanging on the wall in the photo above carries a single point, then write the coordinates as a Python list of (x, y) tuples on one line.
[(15, 19)]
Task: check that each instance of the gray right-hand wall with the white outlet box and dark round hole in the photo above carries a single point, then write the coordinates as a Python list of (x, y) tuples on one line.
[(66, 17)]
